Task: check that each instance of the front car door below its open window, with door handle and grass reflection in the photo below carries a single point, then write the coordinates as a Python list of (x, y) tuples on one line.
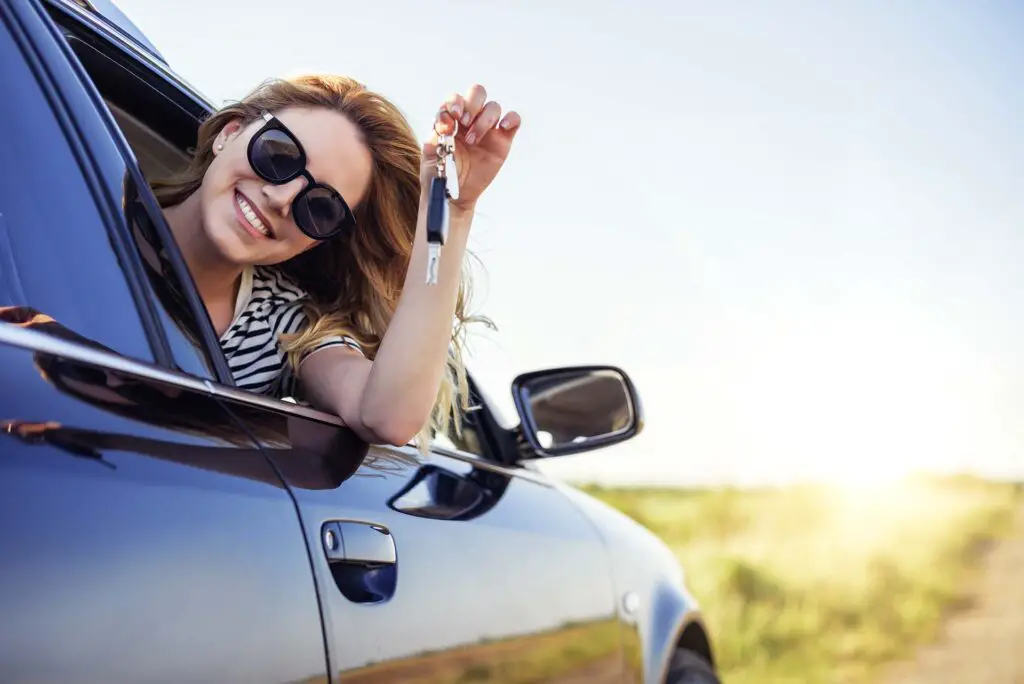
[(443, 568)]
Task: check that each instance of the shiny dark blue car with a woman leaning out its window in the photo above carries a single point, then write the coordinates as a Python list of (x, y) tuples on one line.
[(160, 525)]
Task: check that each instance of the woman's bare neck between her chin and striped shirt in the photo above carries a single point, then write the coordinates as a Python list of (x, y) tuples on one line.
[(216, 278)]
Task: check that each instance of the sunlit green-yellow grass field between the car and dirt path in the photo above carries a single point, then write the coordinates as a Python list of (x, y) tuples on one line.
[(817, 584)]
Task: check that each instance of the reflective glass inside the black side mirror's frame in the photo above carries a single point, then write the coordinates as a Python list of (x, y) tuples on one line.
[(571, 410)]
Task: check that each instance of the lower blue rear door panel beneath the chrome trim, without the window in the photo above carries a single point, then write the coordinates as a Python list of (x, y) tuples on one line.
[(145, 538)]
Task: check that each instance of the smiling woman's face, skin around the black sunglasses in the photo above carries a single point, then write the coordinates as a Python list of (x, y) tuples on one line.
[(335, 156)]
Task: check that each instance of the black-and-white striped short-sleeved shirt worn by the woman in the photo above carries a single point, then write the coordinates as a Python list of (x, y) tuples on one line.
[(269, 306)]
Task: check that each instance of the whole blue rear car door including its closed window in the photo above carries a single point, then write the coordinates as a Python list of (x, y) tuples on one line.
[(144, 536)]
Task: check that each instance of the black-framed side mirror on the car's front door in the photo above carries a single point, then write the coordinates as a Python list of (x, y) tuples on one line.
[(572, 410)]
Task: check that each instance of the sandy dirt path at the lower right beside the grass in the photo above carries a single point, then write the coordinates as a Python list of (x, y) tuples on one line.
[(985, 645)]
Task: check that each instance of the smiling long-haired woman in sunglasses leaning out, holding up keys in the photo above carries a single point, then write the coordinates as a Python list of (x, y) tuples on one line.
[(303, 222)]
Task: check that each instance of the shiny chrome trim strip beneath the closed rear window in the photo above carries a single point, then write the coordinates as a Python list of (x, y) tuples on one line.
[(40, 343)]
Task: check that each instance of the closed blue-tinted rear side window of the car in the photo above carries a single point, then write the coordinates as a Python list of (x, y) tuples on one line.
[(59, 269)]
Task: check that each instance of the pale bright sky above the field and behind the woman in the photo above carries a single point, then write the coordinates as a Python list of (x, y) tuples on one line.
[(799, 227)]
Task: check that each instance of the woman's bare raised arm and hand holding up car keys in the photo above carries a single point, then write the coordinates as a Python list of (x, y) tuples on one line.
[(390, 400)]
